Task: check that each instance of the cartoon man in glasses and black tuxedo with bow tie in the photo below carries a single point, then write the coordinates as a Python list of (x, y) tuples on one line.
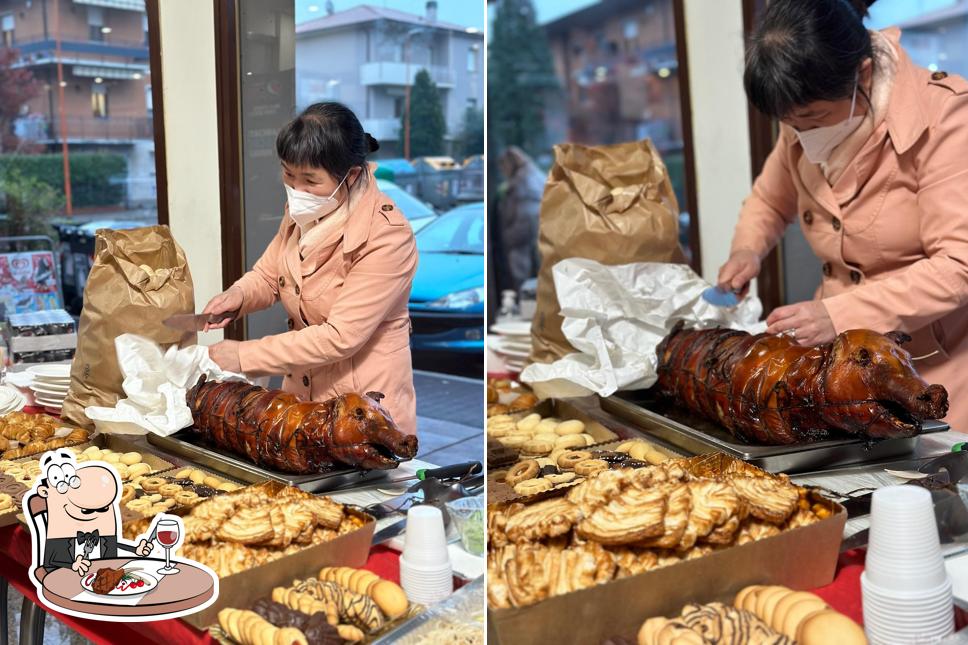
[(82, 517)]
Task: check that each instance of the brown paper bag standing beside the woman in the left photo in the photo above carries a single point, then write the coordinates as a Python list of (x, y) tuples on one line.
[(139, 278)]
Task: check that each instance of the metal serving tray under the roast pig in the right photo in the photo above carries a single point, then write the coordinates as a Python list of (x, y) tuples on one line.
[(696, 436)]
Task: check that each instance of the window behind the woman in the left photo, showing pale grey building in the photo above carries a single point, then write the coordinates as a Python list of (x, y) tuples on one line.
[(363, 63)]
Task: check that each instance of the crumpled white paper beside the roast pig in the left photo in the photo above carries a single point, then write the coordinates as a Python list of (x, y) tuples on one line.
[(156, 384)]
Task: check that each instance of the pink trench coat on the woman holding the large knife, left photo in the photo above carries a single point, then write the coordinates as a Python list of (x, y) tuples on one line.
[(349, 327)]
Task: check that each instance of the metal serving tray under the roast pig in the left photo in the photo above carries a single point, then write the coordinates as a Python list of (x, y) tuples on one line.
[(180, 444)]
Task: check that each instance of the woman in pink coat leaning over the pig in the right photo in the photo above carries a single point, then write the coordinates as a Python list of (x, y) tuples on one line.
[(872, 159)]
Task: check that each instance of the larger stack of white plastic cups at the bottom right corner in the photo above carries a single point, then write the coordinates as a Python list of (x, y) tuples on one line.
[(906, 590)]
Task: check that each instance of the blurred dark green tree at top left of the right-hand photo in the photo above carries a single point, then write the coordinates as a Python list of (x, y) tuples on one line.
[(520, 74)]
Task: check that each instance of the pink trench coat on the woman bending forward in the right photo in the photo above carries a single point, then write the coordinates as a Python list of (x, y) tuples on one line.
[(892, 232)]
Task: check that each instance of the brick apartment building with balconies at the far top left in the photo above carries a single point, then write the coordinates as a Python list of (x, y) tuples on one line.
[(101, 47)]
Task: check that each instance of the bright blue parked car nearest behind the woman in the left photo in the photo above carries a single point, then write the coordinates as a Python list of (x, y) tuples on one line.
[(447, 299)]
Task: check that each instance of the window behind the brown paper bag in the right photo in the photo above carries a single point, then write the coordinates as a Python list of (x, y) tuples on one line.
[(590, 76)]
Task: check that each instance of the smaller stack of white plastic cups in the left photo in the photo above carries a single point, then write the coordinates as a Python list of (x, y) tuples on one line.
[(425, 569)]
